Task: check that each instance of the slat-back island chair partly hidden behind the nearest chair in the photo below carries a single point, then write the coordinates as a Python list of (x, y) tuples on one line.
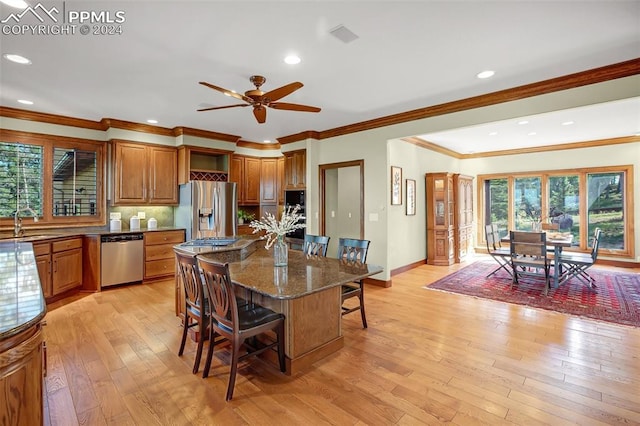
[(195, 304)]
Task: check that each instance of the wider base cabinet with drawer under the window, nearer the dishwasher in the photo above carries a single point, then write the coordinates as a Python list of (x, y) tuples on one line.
[(66, 261)]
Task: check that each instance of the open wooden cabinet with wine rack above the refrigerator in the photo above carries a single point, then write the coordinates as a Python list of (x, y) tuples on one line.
[(197, 163)]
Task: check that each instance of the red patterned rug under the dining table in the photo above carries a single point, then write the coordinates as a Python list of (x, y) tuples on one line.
[(616, 299)]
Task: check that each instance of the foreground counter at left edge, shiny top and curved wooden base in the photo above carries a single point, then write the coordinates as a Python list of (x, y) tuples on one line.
[(22, 309)]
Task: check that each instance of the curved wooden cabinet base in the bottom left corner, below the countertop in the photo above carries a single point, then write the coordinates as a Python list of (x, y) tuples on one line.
[(21, 378)]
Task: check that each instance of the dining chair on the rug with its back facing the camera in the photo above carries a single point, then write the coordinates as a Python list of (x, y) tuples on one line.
[(529, 257)]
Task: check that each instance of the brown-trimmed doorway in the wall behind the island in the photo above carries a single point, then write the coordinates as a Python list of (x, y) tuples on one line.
[(341, 201)]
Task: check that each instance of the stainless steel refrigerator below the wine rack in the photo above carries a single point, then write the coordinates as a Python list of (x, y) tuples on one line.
[(208, 209)]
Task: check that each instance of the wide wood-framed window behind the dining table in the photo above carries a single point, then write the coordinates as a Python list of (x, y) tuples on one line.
[(577, 201)]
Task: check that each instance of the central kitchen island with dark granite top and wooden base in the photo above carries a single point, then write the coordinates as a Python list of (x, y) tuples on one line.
[(307, 291)]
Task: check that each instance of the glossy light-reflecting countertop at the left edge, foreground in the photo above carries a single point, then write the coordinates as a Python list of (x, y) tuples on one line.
[(22, 304)]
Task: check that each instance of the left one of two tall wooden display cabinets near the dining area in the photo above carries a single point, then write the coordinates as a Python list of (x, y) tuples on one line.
[(440, 218)]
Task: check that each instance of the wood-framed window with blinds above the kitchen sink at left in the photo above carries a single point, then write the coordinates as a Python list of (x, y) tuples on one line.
[(59, 178)]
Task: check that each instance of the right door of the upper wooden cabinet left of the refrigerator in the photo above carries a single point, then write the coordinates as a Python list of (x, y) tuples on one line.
[(163, 177)]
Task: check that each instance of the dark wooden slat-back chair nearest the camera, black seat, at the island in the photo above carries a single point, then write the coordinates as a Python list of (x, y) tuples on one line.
[(237, 325)]
